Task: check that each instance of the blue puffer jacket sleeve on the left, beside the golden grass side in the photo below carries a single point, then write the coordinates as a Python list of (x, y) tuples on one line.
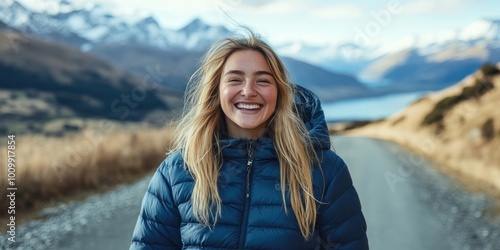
[(158, 224)]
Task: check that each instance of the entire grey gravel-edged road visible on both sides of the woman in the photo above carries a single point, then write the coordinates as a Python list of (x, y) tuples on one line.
[(407, 204)]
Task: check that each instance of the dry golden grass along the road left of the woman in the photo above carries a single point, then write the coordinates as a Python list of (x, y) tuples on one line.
[(49, 169)]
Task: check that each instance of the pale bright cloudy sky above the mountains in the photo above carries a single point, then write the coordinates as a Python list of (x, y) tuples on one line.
[(317, 22)]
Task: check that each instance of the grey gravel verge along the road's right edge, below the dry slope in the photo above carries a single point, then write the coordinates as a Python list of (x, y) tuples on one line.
[(464, 214)]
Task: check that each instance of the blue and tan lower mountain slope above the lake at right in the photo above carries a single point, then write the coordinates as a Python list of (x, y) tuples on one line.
[(418, 71)]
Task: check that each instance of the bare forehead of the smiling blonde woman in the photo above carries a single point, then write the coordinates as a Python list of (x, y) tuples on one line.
[(246, 61)]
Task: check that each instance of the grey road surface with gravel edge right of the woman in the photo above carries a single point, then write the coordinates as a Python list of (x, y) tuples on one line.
[(409, 205)]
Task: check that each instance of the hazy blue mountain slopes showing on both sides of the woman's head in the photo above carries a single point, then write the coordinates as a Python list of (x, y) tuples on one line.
[(176, 67)]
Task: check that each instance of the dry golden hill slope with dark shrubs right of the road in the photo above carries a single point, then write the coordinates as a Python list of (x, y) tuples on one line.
[(458, 127)]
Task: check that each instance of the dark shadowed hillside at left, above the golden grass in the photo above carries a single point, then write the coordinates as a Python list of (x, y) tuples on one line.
[(43, 81)]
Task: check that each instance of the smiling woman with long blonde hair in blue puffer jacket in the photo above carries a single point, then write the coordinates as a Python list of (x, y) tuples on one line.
[(250, 170)]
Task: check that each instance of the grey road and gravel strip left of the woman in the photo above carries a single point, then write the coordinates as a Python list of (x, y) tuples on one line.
[(73, 225)]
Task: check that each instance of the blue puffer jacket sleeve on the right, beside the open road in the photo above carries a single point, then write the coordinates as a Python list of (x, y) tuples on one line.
[(340, 219)]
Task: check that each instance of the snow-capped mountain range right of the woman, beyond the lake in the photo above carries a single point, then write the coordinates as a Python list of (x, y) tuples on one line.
[(437, 58)]
